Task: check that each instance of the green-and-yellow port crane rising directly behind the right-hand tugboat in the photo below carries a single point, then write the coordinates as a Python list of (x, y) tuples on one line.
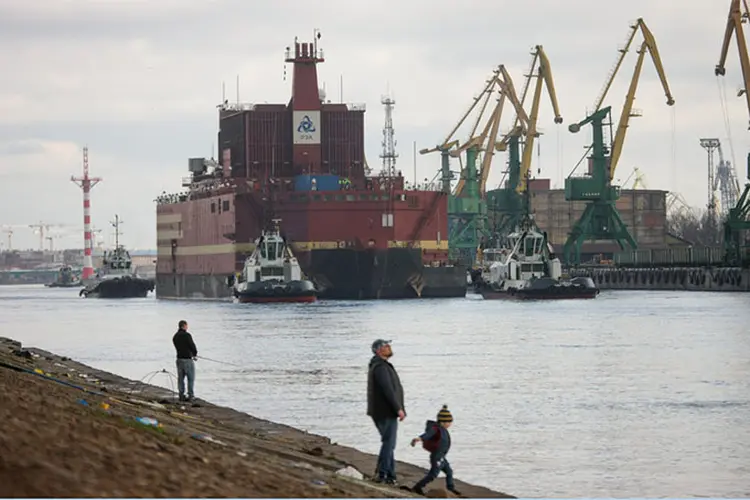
[(507, 203)]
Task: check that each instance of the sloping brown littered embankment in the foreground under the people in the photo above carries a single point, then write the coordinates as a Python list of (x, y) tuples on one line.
[(67, 429)]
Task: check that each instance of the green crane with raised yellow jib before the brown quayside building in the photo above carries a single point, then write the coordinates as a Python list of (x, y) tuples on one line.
[(600, 219)]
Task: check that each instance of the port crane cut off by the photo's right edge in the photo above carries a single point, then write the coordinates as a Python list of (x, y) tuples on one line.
[(736, 247)]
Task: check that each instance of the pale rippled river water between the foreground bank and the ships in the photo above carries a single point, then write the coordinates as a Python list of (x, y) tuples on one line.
[(631, 394)]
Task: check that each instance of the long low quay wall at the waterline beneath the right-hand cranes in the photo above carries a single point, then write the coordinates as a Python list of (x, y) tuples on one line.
[(716, 279)]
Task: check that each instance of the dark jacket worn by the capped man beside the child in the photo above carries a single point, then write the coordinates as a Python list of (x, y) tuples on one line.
[(385, 396)]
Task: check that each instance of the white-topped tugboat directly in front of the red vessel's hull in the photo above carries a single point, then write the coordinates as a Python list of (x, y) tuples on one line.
[(272, 273)]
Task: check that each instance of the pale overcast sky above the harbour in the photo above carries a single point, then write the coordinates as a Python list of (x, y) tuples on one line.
[(138, 83)]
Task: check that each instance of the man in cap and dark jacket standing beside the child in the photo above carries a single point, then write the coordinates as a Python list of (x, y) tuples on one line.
[(385, 405)]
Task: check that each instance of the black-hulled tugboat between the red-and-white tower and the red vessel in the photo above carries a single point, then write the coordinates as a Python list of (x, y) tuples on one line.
[(116, 278)]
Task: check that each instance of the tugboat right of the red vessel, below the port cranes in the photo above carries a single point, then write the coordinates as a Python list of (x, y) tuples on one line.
[(527, 269)]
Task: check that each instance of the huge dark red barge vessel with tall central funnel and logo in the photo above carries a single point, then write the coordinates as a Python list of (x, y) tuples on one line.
[(356, 236)]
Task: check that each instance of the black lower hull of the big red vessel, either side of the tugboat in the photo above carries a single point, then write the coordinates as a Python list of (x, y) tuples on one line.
[(342, 274)]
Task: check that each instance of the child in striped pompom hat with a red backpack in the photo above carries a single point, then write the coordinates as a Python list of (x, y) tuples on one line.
[(437, 440)]
